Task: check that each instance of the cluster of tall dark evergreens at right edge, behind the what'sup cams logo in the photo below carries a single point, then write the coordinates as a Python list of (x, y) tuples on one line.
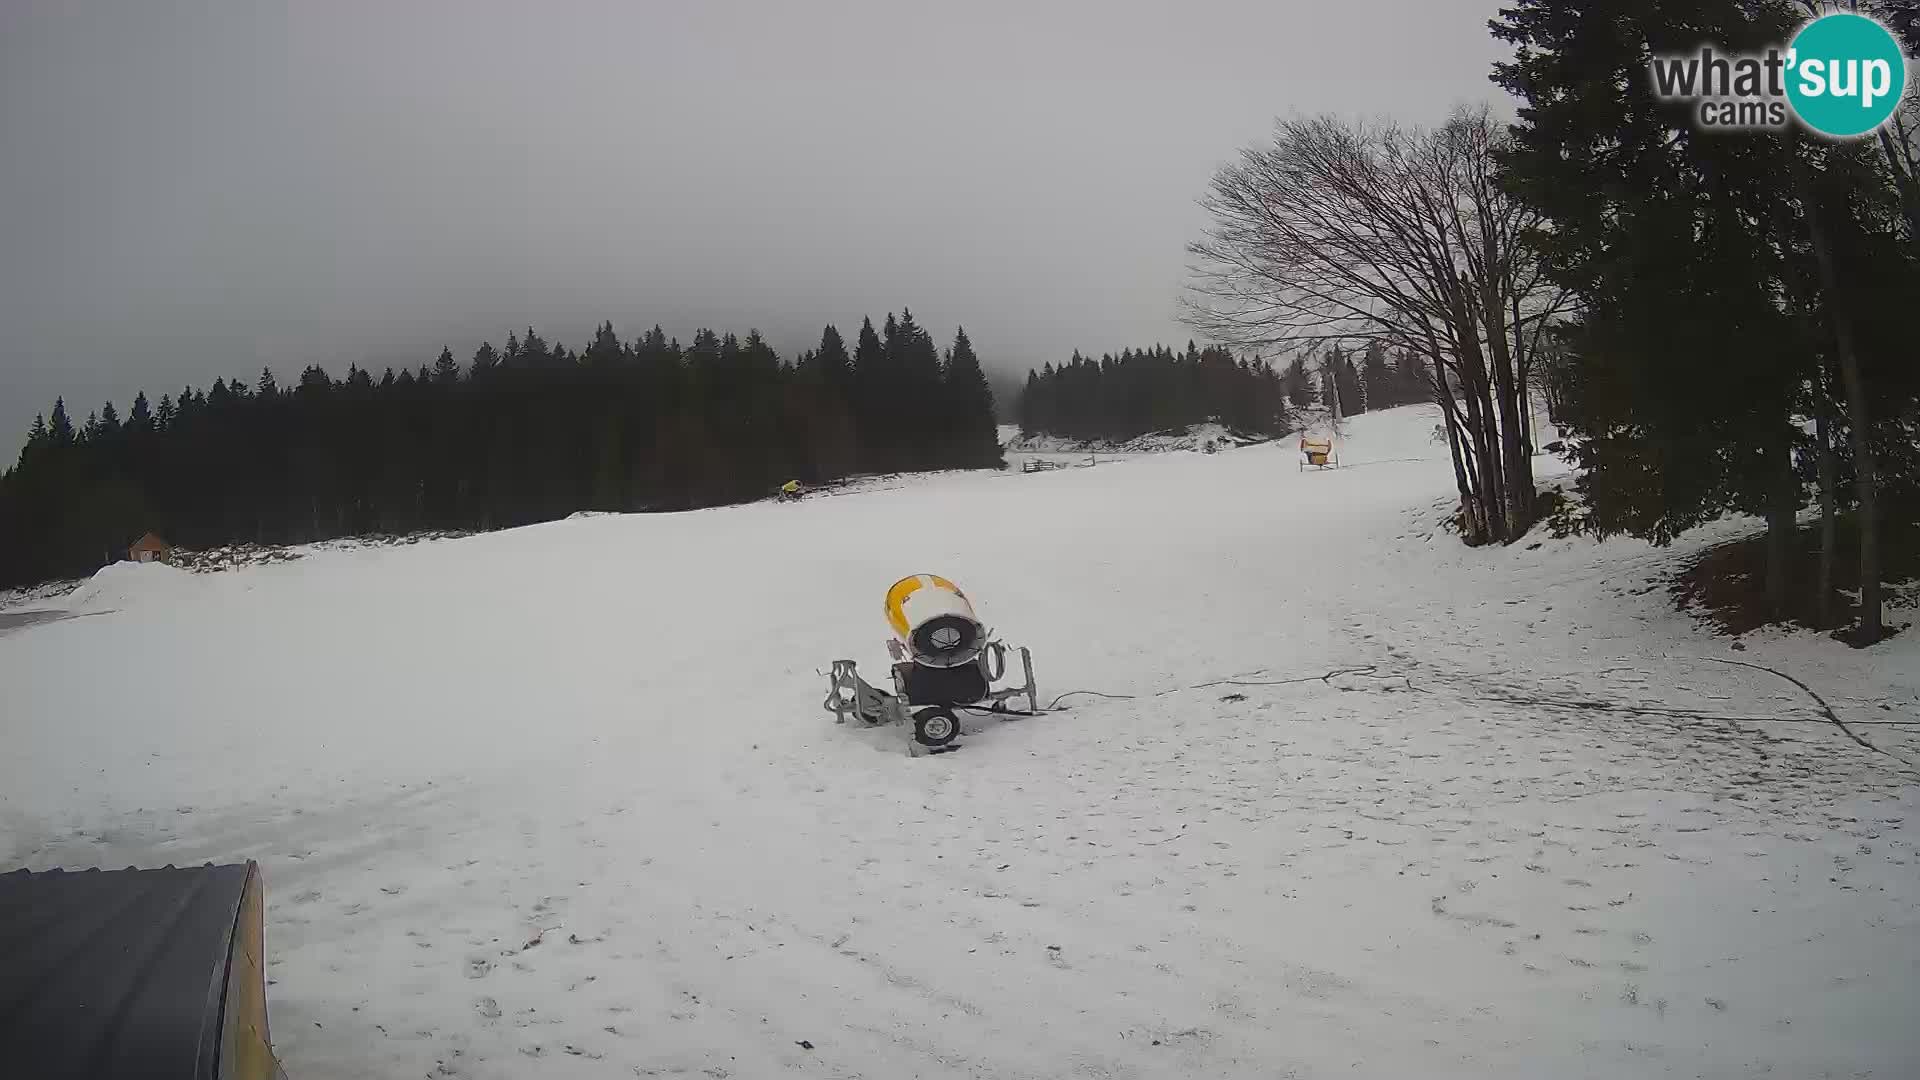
[(1717, 303)]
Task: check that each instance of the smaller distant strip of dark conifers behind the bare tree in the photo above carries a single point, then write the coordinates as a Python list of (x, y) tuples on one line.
[(1159, 389)]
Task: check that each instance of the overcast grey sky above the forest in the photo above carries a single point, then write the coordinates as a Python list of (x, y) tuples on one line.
[(197, 189)]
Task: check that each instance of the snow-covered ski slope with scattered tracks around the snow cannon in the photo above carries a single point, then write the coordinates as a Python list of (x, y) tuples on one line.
[(562, 800)]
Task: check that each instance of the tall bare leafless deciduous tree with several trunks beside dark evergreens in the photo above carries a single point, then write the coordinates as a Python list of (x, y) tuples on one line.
[(1349, 232)]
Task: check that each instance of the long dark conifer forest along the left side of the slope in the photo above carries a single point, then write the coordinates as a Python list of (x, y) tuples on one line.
[(514, 435)]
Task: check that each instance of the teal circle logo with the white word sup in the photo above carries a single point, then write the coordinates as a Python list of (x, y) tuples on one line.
[(1846, 76)]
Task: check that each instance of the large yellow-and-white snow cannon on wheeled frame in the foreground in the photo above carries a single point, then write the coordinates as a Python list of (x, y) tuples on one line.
[(944, 660)]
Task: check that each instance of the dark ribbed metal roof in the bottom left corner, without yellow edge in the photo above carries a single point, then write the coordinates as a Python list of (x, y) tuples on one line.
[(116, 973)]
